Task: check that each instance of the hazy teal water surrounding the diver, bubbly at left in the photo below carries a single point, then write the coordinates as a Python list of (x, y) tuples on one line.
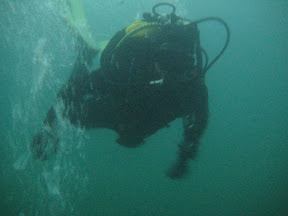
[(242, 166)]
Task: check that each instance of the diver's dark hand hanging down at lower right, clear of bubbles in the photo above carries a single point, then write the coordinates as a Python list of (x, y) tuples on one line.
[(179, 169)]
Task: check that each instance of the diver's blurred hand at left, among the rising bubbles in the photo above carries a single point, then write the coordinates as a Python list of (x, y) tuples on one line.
[(45, 142)]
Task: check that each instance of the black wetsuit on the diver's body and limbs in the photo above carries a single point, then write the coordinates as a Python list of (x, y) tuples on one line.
[(120, 95)]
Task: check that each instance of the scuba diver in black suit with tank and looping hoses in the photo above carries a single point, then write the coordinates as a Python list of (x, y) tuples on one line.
[(150, 74)]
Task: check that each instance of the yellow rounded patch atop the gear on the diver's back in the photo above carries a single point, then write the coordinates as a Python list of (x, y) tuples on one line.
[(147, 29)]
